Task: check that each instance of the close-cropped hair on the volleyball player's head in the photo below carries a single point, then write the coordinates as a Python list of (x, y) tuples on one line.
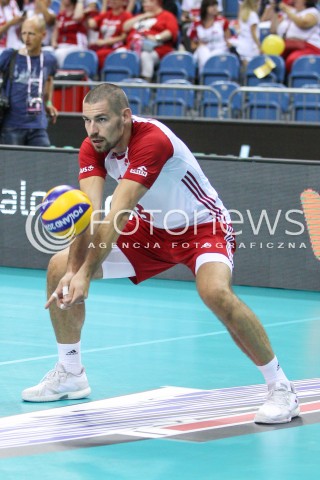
[(115, 96)]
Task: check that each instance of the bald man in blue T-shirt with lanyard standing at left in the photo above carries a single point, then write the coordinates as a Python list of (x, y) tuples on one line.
[(30, 92)]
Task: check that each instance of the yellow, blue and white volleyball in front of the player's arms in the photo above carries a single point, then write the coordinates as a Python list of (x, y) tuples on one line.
[(65, 211)]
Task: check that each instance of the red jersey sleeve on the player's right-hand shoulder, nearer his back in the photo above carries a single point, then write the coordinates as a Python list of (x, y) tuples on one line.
[(147, 155)]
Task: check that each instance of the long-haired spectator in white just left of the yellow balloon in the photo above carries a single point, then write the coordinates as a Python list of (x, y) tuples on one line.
[(247, 43)]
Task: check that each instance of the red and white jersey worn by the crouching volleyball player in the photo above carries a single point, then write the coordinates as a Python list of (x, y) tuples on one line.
[(179, 194)]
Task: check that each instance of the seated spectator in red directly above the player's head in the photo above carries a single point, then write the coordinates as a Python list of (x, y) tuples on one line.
[(109, 24)]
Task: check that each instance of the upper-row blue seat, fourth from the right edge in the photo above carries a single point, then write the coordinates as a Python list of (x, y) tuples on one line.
[(177, 65)]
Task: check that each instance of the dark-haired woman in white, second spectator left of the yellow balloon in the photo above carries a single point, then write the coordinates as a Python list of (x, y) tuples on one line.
[(210, 35)]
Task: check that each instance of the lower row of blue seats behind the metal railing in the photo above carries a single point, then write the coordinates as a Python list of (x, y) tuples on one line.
[(224, 100)]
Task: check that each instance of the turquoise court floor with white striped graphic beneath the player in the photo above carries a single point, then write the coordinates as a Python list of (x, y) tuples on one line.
[(172, 396)]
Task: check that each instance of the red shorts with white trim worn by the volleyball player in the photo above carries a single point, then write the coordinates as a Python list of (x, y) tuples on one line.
[(142, 253)]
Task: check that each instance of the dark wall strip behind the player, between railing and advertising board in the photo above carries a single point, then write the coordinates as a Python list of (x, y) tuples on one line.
[(225, 137)]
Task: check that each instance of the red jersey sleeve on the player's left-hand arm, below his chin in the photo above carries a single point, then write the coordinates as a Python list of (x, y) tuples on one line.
[(91, 163)]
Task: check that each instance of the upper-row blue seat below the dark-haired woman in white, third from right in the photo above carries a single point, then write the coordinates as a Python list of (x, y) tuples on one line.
[(220, 67)]
